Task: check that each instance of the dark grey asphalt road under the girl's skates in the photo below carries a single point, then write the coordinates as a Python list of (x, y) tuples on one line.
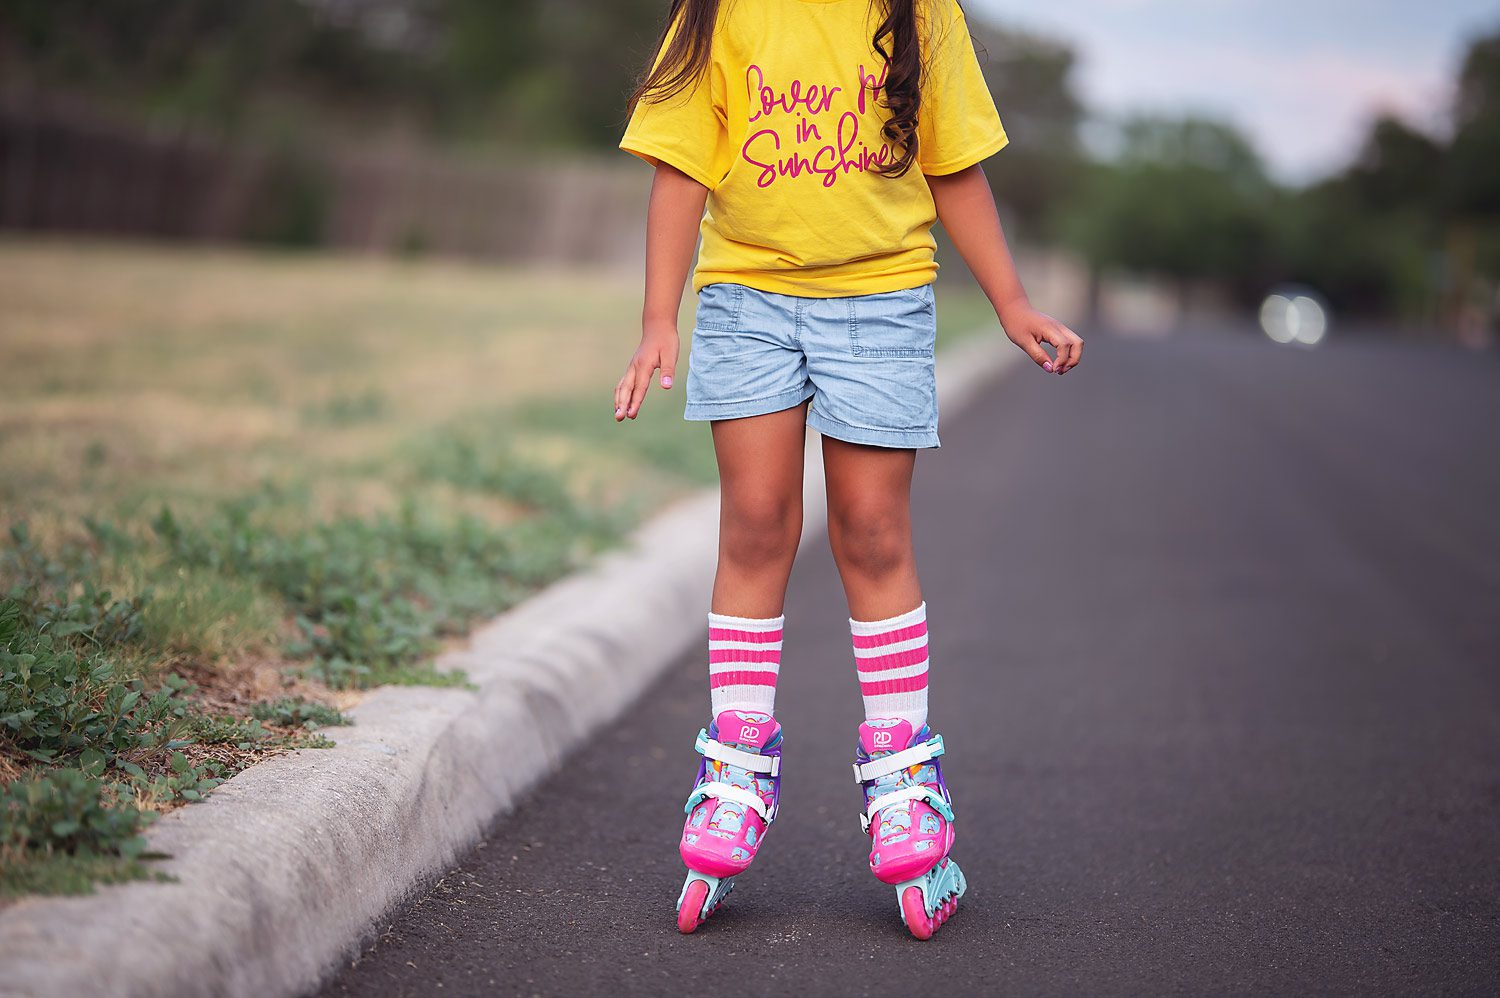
[(1216, 633)]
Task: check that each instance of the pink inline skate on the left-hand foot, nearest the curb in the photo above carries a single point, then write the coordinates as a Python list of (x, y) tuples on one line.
[(731, 807)]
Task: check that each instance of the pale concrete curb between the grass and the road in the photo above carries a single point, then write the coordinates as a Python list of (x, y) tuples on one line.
[(289, 865)]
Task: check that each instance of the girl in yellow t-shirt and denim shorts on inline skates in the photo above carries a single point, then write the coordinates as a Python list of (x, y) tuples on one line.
[(824, 137)]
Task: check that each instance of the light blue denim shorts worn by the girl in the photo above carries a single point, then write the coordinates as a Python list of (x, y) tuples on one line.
[(866, 362)]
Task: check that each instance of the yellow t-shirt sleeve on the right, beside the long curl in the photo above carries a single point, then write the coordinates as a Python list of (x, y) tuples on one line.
[(958, 124)]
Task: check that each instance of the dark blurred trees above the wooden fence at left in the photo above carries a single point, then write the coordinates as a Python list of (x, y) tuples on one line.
[(554, 71)]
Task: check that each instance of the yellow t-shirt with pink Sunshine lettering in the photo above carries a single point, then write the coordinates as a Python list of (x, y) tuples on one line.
[(784, 136)]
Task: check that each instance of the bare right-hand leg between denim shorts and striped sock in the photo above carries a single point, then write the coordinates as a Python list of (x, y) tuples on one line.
[(871, 528)]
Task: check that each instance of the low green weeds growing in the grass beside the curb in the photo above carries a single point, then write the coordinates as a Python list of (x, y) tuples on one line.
[(100, 735)]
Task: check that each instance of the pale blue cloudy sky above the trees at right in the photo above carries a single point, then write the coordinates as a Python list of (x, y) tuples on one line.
[(1301, 77)]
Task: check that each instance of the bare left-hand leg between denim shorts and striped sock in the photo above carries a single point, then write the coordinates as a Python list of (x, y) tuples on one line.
[(761, 510)]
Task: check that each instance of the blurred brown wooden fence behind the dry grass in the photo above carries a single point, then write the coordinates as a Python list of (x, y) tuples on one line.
[(68, 172)]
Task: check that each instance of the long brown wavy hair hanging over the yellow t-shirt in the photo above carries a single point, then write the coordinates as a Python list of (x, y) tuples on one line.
[(896, 40)]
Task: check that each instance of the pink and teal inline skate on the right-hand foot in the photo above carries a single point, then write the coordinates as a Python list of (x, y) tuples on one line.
[(910, 819)]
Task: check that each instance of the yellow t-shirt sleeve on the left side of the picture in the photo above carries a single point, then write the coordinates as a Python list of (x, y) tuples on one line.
[(688, 130)]
